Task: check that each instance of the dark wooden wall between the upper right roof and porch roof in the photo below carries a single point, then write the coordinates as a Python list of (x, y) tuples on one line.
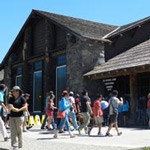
[(127, 40)]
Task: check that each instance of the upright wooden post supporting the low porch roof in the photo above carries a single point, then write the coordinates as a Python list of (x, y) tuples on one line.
[(133, 96)]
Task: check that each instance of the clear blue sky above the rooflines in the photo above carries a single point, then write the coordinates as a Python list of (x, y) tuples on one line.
[(13, 14)]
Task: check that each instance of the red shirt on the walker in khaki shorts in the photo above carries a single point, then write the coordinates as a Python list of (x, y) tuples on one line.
[(97, 111)]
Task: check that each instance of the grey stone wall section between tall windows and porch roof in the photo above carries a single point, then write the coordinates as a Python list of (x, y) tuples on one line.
[(83, 56)]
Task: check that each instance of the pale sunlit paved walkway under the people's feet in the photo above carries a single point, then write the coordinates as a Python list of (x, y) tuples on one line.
[(37, 139)]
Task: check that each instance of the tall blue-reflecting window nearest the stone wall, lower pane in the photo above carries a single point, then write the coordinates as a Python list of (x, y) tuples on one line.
[(60, 80)]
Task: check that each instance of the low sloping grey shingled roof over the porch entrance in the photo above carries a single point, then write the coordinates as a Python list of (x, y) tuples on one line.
[(134, 57)]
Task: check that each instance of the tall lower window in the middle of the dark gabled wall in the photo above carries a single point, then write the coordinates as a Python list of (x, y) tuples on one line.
[(37, 91)]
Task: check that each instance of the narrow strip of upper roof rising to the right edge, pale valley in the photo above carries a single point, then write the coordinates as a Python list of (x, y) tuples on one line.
[(125, 28)]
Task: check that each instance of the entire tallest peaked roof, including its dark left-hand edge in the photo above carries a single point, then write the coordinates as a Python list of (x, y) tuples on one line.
[(79, 27)]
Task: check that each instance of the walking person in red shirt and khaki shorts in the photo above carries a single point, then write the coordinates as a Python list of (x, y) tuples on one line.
[(98, 115)]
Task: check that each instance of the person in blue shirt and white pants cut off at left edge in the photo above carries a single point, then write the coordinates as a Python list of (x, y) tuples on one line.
[(2, 105)]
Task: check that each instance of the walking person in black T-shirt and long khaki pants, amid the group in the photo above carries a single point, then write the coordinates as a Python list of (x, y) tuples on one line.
[(86, 110)]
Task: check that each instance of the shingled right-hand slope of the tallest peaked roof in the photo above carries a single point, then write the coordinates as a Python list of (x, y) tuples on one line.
[(84, 28)]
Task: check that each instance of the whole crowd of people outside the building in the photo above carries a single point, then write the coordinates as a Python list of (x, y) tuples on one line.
[(76, 110)]
